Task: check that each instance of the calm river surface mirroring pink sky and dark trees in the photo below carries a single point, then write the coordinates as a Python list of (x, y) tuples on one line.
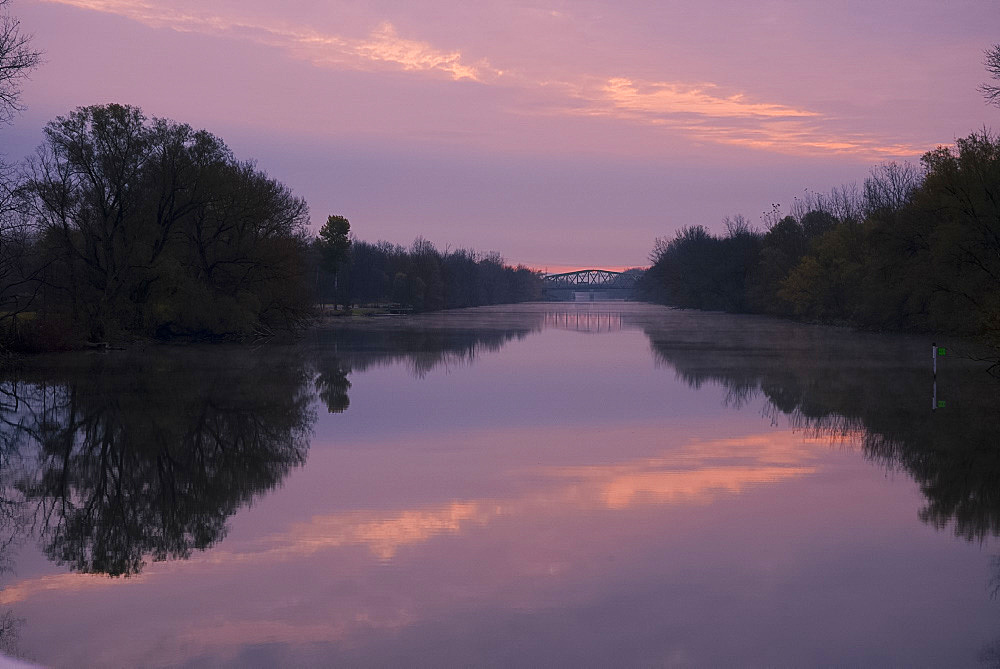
[(599, 484)]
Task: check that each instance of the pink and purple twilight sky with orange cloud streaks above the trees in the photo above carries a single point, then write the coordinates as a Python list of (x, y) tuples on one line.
[(560, 134)]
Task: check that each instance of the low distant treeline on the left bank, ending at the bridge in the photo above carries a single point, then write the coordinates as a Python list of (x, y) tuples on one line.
[(425, 279)]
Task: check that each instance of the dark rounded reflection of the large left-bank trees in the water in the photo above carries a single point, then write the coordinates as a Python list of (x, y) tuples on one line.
[(126, 458)]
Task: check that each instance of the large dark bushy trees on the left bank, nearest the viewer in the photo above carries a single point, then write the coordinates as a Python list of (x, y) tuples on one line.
[(121, 225)]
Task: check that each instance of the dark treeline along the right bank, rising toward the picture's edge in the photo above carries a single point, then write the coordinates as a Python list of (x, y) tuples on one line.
[(911, 249)]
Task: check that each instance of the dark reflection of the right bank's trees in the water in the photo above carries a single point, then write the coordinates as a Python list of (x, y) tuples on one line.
[(866, 388)]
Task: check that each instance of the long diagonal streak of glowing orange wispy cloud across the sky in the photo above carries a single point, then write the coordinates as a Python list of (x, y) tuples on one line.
[(700, 112)]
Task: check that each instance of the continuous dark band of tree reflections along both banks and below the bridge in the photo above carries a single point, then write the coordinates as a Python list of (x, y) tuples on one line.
[(120, 459)]
